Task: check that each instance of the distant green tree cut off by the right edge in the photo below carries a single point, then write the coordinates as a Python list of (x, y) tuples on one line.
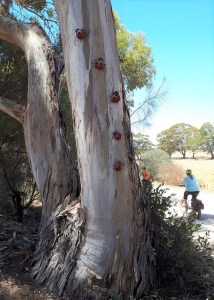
[(207, 138)]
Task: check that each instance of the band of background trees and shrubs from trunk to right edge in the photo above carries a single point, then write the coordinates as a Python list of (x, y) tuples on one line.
[(180, 138)]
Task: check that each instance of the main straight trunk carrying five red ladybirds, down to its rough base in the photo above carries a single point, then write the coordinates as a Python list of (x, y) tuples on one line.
[(116, 237)]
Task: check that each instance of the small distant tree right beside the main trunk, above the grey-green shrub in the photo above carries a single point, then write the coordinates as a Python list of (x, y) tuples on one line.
[(142, 143)]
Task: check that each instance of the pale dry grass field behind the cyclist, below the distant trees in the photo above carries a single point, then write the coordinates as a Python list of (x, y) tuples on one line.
[(202, 167)]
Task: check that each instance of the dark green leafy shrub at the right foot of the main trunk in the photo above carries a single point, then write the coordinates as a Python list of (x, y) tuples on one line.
[(184, 264)]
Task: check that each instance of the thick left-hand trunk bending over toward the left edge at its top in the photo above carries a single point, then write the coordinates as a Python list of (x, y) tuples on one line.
[(42, 124)]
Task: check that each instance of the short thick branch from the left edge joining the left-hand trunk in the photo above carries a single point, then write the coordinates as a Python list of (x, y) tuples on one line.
[(12, 108)]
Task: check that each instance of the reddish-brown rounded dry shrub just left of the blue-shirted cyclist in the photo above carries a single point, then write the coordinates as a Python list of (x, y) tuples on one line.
[(170, 173)]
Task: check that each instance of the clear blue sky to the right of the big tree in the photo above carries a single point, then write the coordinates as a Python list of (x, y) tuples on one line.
[(181, 34)]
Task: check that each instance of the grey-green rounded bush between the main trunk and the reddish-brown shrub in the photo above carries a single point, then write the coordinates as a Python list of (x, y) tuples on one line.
[(153, 159)]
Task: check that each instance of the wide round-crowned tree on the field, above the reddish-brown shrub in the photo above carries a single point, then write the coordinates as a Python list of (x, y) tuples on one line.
[(177, 138)]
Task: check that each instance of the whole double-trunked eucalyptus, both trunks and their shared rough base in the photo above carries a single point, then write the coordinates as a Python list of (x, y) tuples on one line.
[(99, 242)]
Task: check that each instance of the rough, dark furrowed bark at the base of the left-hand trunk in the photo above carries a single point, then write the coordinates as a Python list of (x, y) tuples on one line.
[(54, 259)]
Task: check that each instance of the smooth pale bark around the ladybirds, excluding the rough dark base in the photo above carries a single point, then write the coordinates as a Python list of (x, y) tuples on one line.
[(107, 194)]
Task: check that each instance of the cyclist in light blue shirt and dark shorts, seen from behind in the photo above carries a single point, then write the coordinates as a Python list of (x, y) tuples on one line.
[(191, 184)]
